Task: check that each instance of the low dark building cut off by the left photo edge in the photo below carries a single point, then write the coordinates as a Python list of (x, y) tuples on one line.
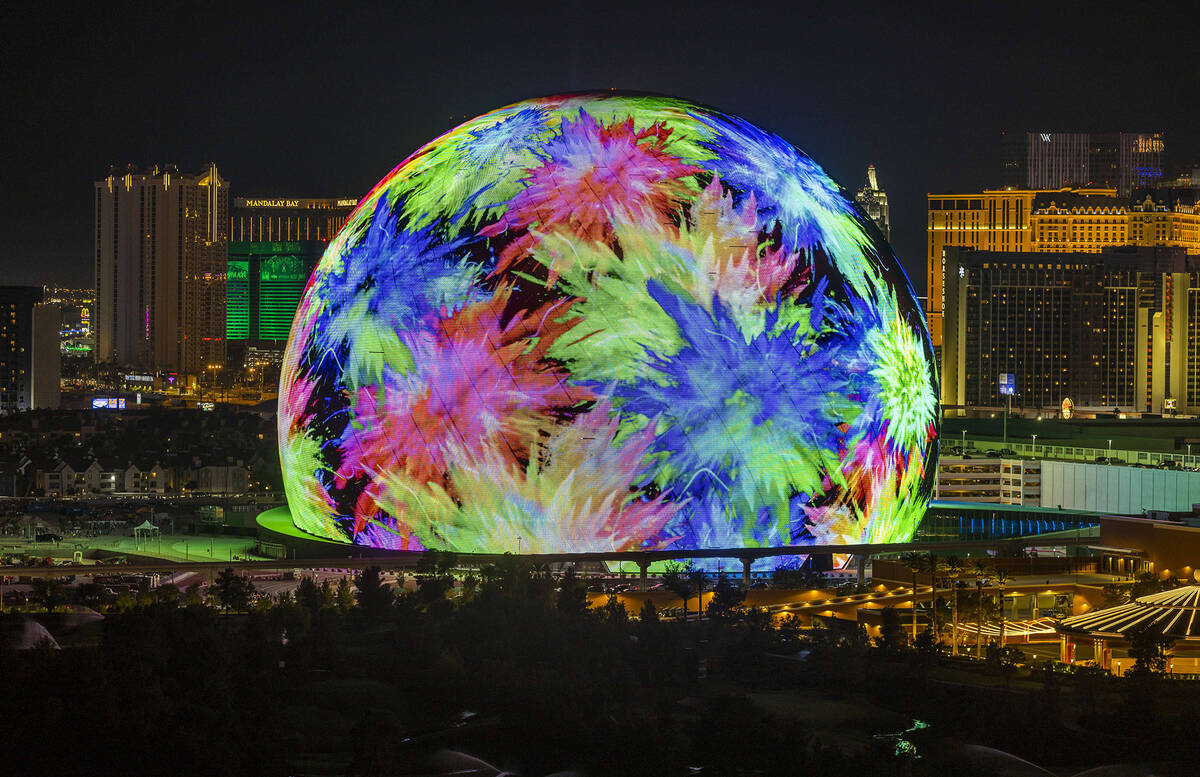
[(29, 351)]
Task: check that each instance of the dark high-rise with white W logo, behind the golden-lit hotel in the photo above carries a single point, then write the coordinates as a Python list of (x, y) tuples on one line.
[(1125, 161)]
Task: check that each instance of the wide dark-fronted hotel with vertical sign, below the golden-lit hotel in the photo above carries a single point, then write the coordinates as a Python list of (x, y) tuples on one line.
[(1108, 329)]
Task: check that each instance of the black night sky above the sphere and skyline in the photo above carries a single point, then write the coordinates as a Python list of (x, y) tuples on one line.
[(323, 100)]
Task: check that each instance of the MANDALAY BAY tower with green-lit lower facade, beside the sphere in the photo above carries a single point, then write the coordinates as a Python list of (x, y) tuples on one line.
[(275, 245)]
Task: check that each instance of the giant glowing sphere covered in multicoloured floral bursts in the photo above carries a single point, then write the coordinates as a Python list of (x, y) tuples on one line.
[(608, 323)]
